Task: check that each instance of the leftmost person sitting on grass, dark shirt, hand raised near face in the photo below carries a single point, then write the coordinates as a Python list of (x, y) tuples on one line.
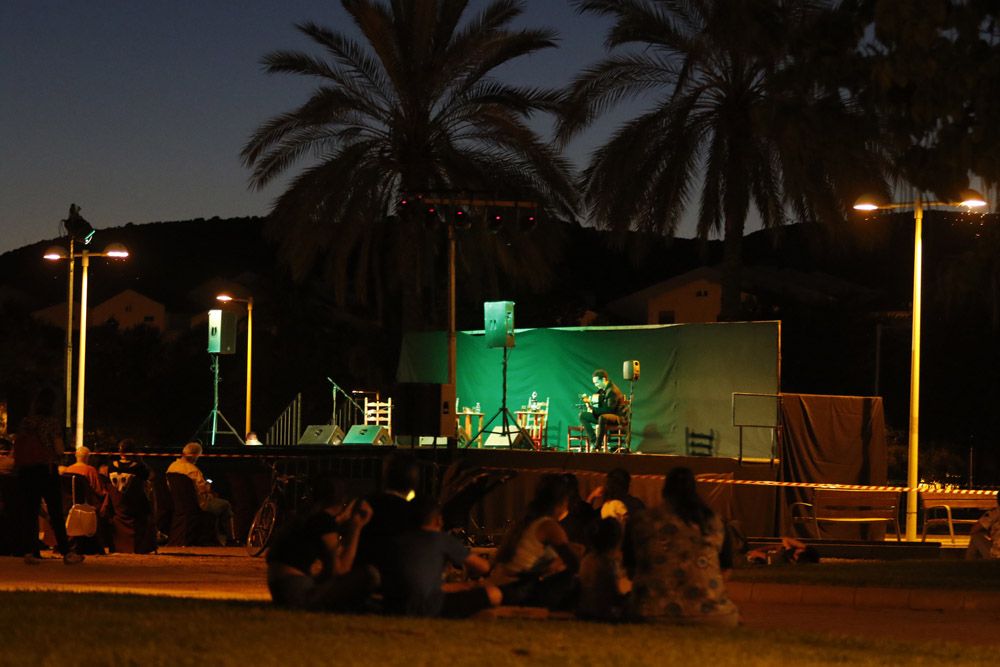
[(327, 535)]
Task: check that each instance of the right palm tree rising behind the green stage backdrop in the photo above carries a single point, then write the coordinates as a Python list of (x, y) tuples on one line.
[(736, 107)]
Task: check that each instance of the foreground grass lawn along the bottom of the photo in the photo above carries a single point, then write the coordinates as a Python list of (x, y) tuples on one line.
[(93, 629)]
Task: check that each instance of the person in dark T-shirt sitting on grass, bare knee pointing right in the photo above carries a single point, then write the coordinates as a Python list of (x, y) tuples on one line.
[(413, 585)]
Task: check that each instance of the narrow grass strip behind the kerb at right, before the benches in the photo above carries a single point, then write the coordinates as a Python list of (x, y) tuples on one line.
[(949, 574)]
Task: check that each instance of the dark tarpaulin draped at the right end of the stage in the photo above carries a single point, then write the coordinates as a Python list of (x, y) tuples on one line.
[(831, 440)]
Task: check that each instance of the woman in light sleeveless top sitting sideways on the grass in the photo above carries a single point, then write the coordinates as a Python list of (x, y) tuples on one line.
[(536, 563)]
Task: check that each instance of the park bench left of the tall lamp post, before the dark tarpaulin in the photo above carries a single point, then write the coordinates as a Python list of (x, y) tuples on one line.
[(847, 506)]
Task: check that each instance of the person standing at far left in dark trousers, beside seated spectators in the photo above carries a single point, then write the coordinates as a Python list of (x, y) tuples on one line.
[(37, 449)]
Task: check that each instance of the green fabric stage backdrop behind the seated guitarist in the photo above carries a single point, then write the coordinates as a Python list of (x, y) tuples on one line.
[(688, 375)]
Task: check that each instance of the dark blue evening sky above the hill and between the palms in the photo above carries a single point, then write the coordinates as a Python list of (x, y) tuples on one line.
[(137, 111)]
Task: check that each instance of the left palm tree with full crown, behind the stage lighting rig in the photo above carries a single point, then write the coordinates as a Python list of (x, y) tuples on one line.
[(411, 108)]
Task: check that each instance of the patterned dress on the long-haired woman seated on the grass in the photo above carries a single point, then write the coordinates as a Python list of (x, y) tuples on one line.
[(677, 575)]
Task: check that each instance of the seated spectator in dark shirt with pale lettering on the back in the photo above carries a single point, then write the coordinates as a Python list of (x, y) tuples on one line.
[(133, 527)]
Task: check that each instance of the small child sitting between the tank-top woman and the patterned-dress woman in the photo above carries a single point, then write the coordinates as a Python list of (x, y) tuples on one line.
[(604, 588)]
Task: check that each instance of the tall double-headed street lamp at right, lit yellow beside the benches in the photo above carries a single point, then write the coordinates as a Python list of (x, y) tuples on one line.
[(969, 199)]
